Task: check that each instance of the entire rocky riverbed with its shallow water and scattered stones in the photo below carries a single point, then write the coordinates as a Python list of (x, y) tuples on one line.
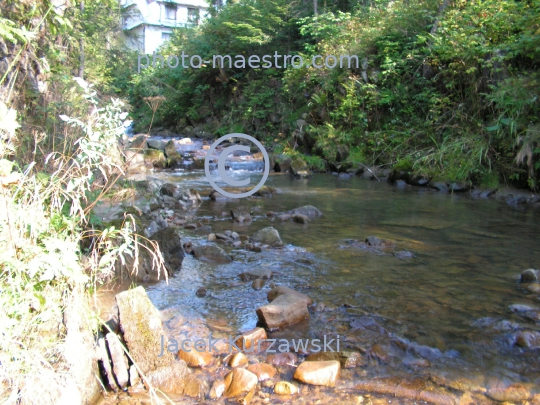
[(426, 287)]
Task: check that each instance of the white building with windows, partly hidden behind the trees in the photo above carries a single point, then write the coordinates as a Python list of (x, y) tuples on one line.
[(150, 22)]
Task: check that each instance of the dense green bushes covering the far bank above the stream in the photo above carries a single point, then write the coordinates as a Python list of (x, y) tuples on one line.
[(451, 86)]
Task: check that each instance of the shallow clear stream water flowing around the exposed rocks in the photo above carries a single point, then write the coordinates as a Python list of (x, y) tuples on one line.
[(449, 303)]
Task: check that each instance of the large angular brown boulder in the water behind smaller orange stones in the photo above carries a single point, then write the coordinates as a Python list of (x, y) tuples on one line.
[(286, 309)]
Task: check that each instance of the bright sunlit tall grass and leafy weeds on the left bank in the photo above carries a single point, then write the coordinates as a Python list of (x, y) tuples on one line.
[(46, 325)]
